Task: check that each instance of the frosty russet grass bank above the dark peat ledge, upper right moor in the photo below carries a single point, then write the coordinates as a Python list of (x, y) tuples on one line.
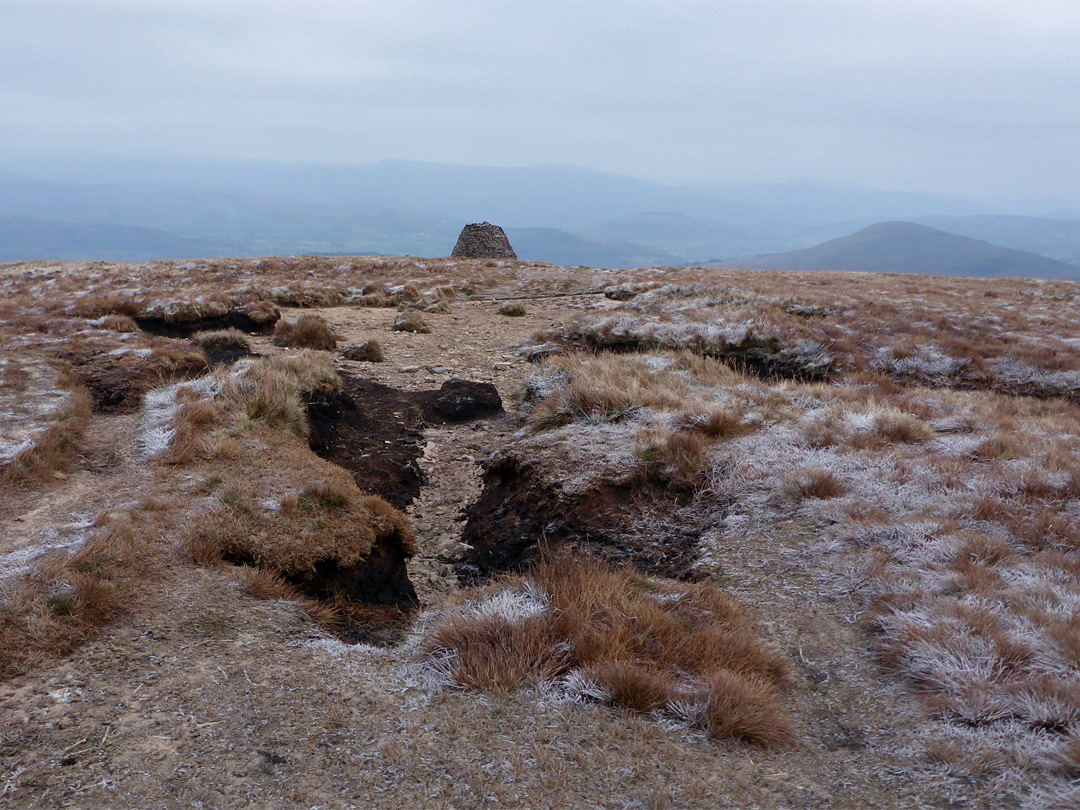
[(1010, 336)]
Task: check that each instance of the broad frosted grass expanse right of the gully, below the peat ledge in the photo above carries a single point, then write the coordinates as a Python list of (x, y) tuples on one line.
[(953, 518)]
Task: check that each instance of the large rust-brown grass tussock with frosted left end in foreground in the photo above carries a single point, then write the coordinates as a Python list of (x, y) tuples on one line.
[(685, 652)]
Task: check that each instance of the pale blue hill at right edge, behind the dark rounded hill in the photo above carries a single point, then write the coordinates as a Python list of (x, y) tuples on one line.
[(1058, 238)]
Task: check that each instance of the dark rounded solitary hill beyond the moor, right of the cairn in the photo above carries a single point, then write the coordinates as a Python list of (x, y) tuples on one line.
[(907, 248)]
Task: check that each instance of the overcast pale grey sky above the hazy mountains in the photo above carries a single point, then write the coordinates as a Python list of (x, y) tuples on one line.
[(974, 99)]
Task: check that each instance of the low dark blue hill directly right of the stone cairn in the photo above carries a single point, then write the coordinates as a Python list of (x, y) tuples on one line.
[(560, 248)]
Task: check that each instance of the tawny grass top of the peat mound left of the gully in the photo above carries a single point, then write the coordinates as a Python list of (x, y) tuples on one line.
[(321, 516)]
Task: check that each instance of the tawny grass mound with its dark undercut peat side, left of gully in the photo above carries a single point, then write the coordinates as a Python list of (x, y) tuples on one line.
[(300, 529)]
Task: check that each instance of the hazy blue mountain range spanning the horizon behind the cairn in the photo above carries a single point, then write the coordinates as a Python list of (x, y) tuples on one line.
[(561, 214)]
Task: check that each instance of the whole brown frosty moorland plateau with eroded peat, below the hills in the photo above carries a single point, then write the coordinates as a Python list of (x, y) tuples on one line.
[(430, 533)]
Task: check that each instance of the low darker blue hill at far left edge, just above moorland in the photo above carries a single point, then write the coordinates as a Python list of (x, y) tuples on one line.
[(24, 238)]
